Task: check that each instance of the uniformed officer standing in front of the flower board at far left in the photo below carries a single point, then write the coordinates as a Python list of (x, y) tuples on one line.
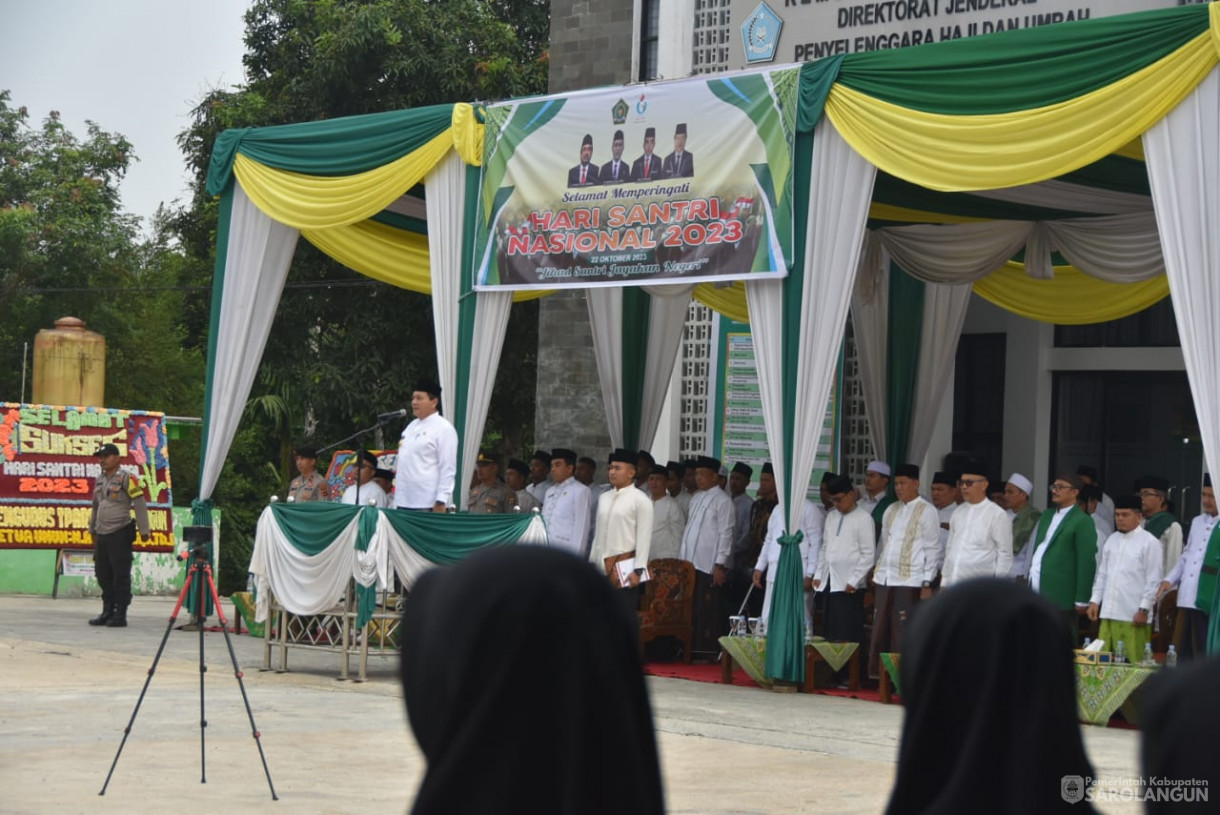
[(115, 496)]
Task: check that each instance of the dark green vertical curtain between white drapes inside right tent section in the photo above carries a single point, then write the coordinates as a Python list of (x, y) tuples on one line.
[(902, 363)]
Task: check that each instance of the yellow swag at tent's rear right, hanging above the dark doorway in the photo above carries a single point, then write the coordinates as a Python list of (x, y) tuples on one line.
[(1073, 298)]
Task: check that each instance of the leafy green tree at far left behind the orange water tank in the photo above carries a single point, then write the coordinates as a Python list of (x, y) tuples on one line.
[(68, 248)]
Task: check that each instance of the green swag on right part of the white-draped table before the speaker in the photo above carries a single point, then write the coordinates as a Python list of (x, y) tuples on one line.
[(448, 539)]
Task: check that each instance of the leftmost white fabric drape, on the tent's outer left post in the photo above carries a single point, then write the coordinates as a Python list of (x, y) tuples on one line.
[(256, 269)]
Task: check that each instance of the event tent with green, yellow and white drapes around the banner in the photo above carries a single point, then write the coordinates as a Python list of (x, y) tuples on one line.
[(1094, 141)]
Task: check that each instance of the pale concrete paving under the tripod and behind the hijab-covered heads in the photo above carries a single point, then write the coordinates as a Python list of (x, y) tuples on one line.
[(68, 692)]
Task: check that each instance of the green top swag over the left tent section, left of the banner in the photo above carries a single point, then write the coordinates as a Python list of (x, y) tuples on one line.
[(341, 147)]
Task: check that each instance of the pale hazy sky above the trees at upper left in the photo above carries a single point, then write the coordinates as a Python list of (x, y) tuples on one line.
[(135, 68)]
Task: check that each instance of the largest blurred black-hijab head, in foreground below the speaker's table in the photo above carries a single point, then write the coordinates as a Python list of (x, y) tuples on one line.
[(525, 691)]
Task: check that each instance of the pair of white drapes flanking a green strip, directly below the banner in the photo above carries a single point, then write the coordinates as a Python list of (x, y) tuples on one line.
[(667, 320)]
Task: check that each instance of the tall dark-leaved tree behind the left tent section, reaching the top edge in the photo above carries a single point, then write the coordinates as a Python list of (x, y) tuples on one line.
[(345, 348)]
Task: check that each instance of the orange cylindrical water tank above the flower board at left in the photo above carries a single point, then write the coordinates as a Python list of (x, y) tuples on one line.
[(70, 365)]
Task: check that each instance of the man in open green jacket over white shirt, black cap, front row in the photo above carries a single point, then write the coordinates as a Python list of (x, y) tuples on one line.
[(1066, 553)]
